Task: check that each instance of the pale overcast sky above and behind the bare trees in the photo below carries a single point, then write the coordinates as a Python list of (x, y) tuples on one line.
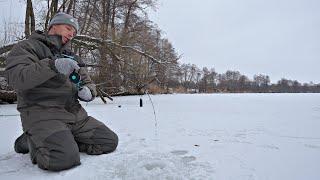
[(279, 38)]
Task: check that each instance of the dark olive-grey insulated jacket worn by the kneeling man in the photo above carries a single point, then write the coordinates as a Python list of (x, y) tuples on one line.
[(30, 70)]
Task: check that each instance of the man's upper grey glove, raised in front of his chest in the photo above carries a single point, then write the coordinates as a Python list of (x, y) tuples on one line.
[(66, 65)]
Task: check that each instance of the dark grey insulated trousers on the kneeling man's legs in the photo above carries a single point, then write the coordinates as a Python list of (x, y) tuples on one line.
[(54, 143)]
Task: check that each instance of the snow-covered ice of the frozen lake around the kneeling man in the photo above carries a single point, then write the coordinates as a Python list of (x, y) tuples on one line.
[(203, 136)]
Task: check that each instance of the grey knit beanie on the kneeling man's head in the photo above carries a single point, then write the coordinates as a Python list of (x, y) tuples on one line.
[(63, 18)]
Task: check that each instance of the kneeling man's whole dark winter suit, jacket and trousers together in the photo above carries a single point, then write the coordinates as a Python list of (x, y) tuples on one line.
[(55, 125)]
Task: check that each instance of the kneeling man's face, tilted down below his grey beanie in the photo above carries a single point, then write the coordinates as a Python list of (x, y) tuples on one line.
[(66, 31)]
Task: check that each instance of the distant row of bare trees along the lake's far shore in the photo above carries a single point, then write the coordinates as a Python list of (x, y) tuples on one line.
[(189, 78)]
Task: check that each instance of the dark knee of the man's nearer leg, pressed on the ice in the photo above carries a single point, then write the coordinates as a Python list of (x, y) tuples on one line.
[(59, 152)]
